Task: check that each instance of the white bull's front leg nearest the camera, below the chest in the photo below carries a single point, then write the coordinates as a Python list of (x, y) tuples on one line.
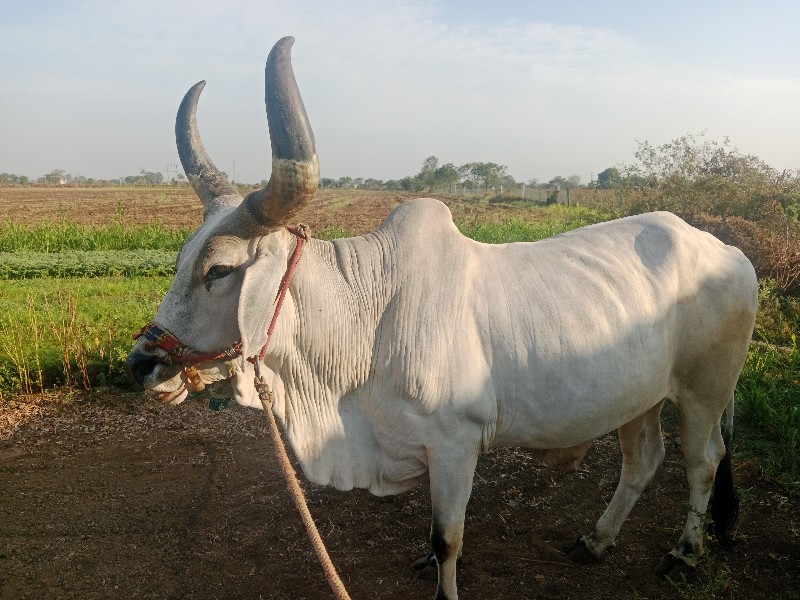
[(451, 472)]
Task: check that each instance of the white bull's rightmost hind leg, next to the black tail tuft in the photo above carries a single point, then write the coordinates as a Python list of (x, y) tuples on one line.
[(704, 450)]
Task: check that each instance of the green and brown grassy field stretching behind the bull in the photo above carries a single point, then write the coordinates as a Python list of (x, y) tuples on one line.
[(72, 293)]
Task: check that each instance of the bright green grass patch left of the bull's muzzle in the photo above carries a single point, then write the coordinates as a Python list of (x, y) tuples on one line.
[(71, 331)]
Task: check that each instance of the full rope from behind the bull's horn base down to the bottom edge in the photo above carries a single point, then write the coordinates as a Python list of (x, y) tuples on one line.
[(267, 398)]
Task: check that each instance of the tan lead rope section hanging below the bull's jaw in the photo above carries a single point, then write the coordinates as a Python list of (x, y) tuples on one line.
[(266, 396)]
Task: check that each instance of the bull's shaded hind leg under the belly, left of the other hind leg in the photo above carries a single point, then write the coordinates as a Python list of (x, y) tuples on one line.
[(642, 451)]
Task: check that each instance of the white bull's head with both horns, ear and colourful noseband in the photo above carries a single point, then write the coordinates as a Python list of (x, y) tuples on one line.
[(238, 256)]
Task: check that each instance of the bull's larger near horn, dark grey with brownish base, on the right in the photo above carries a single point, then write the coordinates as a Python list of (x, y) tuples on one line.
[(295, 168)]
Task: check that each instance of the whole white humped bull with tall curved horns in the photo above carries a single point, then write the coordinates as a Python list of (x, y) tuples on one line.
[(402, 355)]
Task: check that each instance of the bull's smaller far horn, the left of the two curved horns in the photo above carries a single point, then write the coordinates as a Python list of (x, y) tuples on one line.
[(208, 182)]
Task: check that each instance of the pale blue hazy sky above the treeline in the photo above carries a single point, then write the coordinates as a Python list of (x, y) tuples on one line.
[(546, 88)]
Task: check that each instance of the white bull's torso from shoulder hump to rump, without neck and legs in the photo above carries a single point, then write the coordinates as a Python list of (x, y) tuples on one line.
[(553, 342)]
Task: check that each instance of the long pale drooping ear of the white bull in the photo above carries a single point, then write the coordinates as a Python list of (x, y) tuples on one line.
[(259, 290)]
